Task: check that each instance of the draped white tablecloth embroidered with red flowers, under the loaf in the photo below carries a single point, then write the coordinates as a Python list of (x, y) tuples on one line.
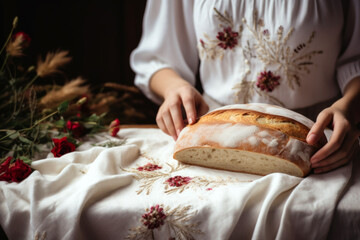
[(130, 187)]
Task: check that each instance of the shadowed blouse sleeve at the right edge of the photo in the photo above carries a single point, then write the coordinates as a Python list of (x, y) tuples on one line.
[(348, 65)]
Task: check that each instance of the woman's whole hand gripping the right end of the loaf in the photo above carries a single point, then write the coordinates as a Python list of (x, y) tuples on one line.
[(343, 143)]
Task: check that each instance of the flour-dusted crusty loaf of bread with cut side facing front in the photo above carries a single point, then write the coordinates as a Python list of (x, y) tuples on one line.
[(252, 138)]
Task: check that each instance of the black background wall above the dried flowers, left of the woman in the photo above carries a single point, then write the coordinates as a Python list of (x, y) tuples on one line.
[(100, 35)]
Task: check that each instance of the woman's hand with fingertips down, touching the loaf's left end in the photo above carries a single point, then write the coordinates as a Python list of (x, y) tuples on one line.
[(183, 97)]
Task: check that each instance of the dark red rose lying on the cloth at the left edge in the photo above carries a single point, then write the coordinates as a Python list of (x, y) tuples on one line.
[(15, 172)]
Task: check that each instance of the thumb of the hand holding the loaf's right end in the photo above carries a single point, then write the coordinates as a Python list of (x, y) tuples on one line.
[(317, 130)]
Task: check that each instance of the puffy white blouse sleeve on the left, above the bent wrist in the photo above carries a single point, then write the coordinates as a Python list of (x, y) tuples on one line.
[(168, 41)]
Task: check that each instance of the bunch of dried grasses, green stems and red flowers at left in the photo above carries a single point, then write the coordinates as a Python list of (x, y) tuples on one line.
[(57, 116)]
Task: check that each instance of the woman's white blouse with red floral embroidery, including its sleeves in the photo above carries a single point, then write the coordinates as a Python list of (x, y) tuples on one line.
[(292, 53)]
